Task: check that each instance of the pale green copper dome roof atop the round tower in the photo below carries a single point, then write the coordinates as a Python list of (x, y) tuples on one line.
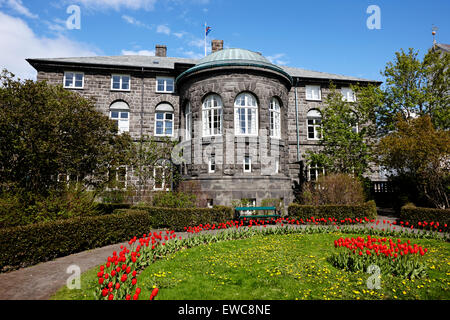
[(234, 57)]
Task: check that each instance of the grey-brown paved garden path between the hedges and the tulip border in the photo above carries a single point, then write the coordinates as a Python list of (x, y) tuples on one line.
[(41, 281)]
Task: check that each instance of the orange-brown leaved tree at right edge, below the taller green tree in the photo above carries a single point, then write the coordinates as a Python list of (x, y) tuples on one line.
[(419, 153)]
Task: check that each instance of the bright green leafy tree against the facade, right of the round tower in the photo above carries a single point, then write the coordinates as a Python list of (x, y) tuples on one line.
[(347, 131)]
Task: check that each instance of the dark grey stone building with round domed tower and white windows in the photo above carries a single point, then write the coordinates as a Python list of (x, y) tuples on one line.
[(245, 123)]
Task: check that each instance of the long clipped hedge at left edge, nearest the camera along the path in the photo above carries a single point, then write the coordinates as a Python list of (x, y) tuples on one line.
[(27, 245)]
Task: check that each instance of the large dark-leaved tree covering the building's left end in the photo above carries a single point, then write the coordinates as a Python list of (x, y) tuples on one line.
[(47, 131)]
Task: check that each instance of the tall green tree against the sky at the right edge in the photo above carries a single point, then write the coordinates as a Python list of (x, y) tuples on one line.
[(414, 88)]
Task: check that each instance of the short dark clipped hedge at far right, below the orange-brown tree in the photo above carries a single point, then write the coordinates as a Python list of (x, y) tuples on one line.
[(414, 215)]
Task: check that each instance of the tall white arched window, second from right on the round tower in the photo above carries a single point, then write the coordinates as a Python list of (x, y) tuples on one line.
[(246, 115)]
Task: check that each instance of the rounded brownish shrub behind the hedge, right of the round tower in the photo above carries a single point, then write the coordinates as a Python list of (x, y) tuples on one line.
[(342, 189)]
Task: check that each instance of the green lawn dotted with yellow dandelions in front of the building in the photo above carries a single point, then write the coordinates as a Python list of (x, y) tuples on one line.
[(292, 266)]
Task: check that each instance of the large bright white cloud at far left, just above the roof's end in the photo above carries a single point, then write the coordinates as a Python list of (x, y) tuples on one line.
[(23, 43)]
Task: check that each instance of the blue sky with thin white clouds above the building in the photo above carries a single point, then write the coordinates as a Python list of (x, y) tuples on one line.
[(327, 35)]
